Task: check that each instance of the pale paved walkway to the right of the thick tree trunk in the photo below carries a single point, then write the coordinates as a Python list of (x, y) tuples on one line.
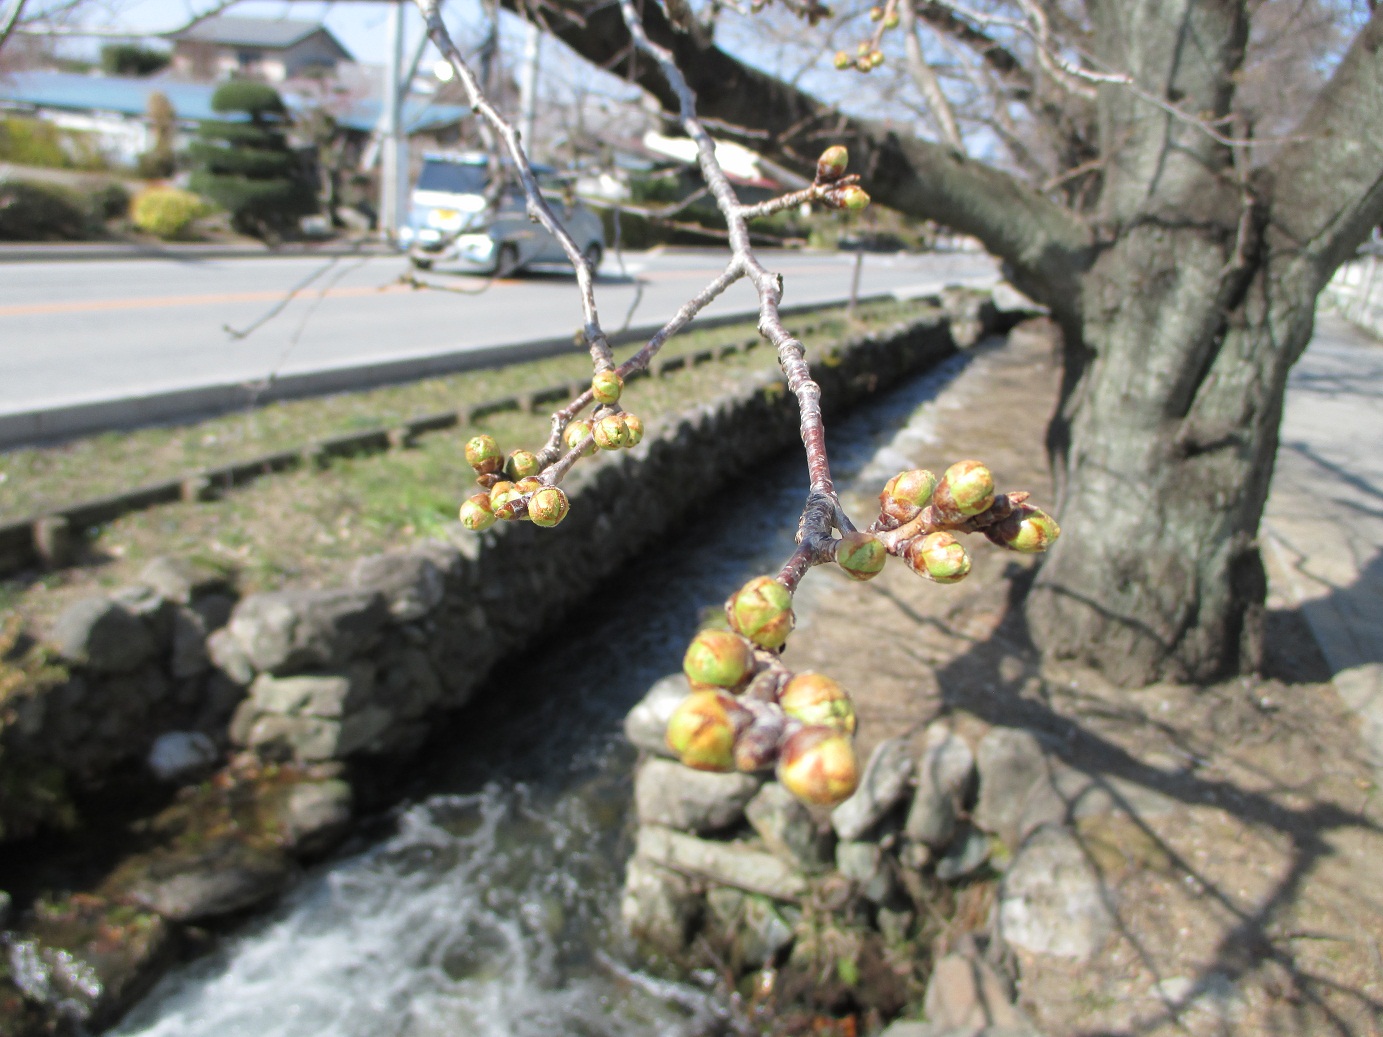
[(1324, 523)]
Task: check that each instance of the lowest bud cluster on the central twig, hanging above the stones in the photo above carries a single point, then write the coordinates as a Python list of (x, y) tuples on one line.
[(749, 713)]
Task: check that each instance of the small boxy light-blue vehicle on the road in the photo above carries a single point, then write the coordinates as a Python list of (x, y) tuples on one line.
[(450, 221)]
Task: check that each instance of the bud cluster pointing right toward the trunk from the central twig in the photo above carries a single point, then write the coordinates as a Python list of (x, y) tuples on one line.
[(920, 518)]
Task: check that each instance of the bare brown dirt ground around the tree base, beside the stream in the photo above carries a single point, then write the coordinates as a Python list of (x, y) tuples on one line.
[(1241, 841)]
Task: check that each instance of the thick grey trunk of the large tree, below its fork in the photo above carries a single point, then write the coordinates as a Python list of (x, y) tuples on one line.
[(1165, 442)]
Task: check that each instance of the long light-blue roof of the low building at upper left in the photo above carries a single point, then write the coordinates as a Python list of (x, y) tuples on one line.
[(193, 102)]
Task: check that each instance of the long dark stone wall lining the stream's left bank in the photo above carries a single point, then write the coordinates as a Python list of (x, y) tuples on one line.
[(178, 670)]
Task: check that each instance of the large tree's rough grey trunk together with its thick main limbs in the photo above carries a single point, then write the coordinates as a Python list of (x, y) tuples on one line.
[(1185, 299)]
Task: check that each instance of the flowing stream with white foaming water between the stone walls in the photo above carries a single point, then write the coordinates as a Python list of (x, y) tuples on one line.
[(490, 906)]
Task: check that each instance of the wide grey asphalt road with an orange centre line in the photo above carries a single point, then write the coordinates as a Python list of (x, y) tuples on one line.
[(81, 333)]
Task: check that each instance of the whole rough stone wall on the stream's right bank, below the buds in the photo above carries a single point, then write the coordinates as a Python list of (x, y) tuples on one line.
[(735, 863)]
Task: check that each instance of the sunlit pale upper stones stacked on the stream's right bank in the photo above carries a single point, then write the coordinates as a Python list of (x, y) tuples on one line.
[(738, 855)]
